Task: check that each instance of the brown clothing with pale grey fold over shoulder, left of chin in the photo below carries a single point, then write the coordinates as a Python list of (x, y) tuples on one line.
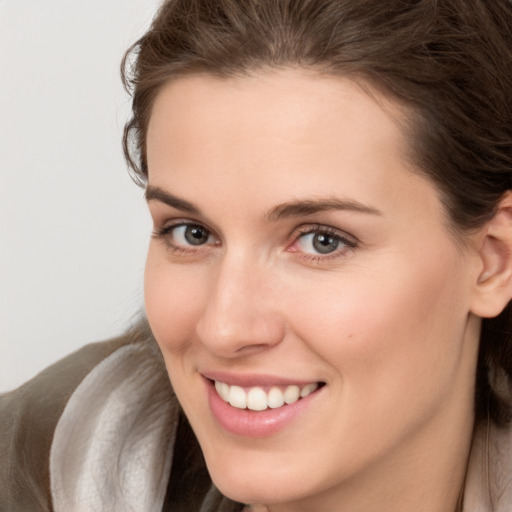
[(102, 430)]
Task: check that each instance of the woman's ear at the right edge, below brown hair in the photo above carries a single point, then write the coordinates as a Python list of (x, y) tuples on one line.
[(493, 289)]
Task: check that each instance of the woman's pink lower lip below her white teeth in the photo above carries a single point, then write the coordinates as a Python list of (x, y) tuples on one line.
[(244, 422)]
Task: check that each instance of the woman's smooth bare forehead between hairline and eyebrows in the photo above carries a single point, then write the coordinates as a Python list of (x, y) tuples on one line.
[(280, 134)]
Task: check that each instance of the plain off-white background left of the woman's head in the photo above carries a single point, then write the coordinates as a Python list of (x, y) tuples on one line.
[(73, 226)]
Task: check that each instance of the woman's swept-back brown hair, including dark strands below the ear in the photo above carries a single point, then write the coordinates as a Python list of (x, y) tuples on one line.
[(448, 61)]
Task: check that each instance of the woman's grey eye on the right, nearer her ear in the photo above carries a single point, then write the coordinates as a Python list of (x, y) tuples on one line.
[(322, 241)]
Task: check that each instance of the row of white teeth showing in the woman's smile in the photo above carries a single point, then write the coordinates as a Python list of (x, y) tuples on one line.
[(256, 399)]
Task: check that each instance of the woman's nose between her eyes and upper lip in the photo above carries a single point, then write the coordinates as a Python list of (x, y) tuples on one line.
[(241, 313)]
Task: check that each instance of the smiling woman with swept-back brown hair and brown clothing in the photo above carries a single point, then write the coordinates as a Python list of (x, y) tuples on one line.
[(329, 278)]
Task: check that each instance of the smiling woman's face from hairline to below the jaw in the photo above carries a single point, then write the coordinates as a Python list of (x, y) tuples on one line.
[(296, 252)]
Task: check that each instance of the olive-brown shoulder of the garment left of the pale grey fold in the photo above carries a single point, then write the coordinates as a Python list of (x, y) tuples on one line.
[(29, 415)]
